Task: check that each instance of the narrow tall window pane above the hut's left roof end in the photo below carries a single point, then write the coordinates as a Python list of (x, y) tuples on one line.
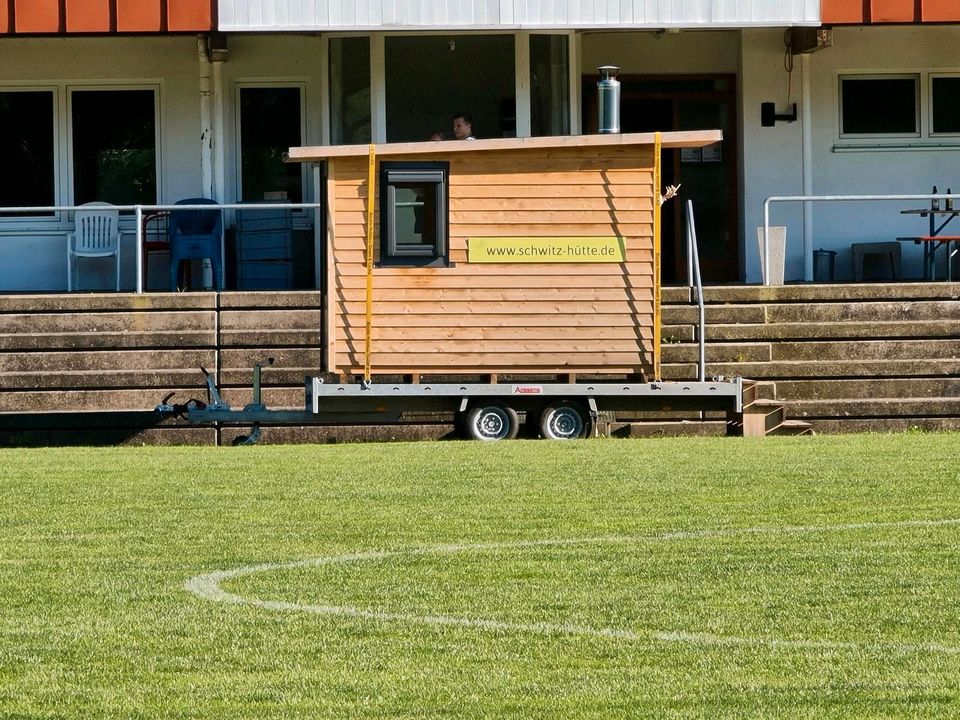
[(350, 120)]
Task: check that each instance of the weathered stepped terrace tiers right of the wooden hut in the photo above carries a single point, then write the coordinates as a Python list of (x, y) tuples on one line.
[(842, 358)]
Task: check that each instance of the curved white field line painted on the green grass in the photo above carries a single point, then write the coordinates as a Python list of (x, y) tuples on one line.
[(208, 587)]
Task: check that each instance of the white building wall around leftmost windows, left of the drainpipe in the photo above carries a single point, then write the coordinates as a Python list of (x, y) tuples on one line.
[(38, 261)]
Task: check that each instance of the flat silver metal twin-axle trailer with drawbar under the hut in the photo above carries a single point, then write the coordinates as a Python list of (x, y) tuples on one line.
[(482, 411)]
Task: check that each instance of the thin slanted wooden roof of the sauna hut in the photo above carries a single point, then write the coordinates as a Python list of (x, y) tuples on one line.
[(689, 138)]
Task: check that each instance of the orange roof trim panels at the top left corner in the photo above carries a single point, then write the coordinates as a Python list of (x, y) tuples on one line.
[(104, 17)]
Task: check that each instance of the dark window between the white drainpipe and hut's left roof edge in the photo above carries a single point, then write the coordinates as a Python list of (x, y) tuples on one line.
[(270, 124)]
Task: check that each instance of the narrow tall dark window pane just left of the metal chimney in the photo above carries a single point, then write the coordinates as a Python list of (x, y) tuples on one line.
[(549, 85)]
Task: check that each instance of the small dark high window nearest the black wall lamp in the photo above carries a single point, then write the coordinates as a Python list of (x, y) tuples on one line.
[(879, 106)]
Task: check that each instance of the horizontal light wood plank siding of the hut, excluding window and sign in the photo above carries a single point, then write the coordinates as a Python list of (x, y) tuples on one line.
[(507, 318)]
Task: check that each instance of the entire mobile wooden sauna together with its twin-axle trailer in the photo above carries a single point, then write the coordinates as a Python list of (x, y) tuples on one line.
[(532, 261)]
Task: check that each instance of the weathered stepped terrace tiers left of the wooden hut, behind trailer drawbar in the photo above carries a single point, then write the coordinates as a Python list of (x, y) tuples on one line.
[(91, 368)]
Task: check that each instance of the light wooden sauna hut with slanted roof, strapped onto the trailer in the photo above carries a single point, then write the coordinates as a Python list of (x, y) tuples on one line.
[(519, 257)]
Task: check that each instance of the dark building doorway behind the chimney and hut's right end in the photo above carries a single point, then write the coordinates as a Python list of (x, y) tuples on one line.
[(708, 176)]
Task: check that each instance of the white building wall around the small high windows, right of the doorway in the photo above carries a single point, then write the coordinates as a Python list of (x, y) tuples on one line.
[(772, 155)]
